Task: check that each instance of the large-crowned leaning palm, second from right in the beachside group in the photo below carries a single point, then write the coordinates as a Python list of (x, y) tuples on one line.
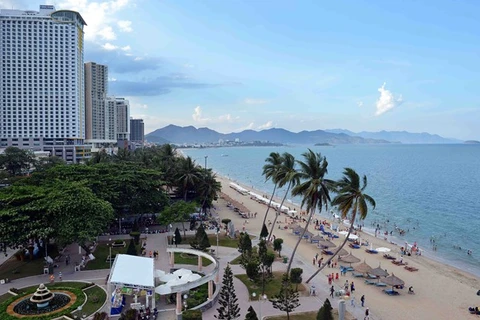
[(313, 187)]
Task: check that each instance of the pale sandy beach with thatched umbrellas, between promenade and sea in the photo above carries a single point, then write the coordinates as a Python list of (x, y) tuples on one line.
[(441, 291)]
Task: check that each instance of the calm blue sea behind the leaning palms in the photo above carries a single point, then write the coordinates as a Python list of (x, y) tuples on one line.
[(433, 191)]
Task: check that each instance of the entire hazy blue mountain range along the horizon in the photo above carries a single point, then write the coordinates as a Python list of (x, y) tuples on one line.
[(192, 135)]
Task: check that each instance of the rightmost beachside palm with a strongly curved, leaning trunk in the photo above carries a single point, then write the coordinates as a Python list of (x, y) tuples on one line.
[(352, 200)]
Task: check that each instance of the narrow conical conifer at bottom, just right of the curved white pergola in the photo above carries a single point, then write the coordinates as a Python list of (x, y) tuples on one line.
[(228, 301)]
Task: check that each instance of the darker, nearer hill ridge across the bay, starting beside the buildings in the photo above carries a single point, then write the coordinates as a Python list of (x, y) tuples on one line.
[(190, 134)]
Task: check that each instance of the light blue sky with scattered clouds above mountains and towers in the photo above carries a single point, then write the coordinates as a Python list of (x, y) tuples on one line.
[(232, 65)]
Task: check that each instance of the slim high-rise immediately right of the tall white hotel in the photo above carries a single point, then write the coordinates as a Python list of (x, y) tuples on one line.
[(96, 90)]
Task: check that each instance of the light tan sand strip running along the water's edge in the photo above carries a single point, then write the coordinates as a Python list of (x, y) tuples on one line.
[(440, 287)]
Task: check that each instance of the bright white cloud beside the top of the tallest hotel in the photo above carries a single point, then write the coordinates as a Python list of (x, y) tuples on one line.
[(99, 15)]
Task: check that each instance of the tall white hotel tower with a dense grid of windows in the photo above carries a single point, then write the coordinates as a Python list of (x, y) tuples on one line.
[(42, 81)]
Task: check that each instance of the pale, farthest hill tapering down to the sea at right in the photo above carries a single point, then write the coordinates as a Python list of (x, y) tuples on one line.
[(399, 136)]
